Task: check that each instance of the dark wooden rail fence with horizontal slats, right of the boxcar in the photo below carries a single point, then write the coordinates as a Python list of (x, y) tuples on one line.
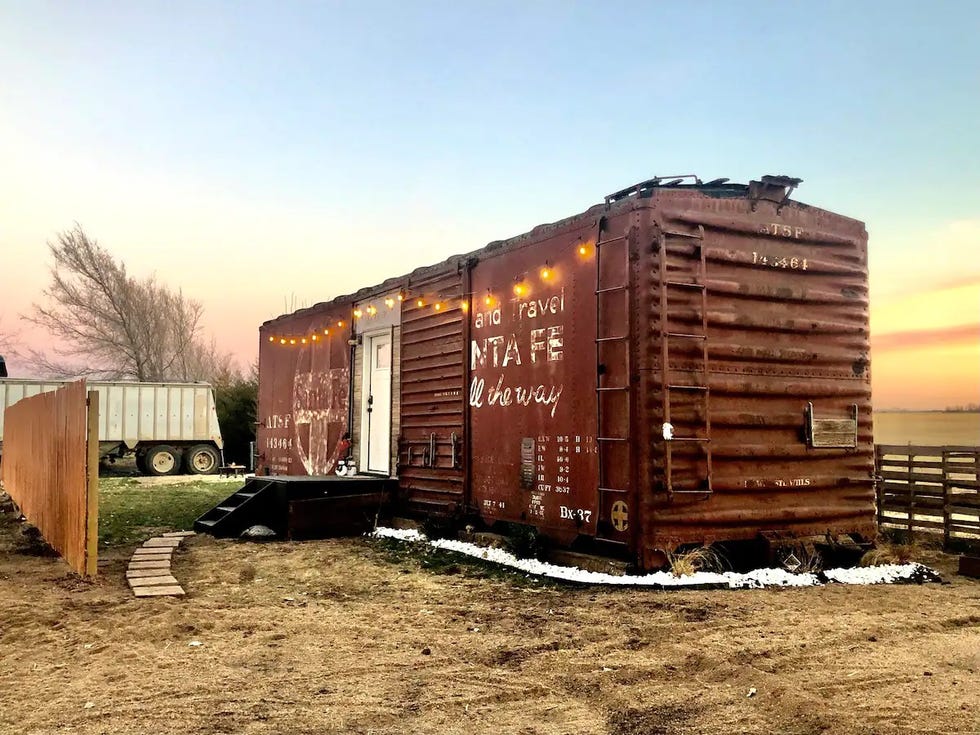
[(930, 489)]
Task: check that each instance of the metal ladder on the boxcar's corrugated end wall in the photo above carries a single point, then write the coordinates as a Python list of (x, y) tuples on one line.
[(698, 391)]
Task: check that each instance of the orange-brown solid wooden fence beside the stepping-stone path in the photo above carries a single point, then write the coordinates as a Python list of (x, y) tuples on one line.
[(50, 469)]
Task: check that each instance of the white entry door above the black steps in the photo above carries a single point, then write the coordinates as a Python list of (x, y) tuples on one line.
[(376, 405)]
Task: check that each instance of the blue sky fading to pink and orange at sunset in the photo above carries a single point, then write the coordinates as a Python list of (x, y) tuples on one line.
[(263, 157)]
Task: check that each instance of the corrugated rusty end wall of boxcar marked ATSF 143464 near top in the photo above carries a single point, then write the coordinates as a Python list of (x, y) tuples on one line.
[(787, 324)]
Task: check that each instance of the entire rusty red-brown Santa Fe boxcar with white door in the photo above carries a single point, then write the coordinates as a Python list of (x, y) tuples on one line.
[(687, 362)]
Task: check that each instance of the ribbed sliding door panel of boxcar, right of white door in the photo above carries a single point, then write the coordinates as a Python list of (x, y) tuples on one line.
[(431, 456)]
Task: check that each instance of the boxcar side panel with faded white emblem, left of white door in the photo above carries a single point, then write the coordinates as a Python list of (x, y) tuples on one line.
[(303, 408)]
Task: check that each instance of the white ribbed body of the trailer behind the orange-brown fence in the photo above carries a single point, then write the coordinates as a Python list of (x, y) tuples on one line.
[(137, 412)]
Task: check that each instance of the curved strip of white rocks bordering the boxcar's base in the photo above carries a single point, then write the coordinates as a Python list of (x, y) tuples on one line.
[(758, 578)]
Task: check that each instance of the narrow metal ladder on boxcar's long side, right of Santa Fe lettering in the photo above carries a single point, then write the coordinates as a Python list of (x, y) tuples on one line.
[(612, 383)]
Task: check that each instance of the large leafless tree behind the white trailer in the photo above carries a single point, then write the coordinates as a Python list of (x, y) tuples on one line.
[(112, 325)]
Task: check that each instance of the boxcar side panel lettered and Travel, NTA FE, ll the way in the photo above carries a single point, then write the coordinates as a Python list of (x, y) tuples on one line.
[(532, 388)]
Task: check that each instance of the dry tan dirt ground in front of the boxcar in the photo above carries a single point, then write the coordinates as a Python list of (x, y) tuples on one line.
[(342, 636)]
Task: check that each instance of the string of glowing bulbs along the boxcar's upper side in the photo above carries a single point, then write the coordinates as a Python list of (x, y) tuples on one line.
[(521, 288)]
